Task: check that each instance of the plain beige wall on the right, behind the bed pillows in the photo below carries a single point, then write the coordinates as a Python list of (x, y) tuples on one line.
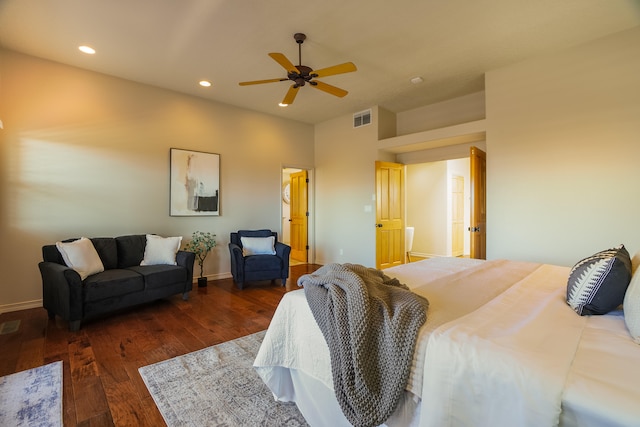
[(563, 144)]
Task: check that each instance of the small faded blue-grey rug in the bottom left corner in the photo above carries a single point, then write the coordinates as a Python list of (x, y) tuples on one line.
[(32, 397)]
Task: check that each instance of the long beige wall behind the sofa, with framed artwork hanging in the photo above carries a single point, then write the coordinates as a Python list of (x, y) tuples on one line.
[(84, 154)]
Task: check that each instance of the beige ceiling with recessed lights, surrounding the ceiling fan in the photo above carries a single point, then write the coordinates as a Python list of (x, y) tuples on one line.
[(175, 43)]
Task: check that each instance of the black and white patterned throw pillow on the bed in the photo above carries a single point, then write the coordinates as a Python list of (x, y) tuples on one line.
[(597, 284)]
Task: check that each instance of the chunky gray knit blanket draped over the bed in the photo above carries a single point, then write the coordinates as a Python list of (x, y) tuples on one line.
[(370, 323)]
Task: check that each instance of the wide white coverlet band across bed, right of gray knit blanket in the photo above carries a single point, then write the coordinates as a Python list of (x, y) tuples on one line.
[(506, 363)]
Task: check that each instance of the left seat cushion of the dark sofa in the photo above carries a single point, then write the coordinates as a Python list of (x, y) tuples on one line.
[(112, 283)]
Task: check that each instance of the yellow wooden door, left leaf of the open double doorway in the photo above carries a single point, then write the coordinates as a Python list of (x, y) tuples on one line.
[(389, 214)]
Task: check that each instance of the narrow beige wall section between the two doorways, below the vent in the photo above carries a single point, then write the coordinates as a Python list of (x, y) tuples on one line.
[(345, 187)]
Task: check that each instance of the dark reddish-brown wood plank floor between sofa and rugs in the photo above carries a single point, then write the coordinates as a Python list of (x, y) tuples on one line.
[(102, 386)]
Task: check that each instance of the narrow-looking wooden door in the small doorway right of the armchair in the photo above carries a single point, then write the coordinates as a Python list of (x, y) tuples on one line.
[(298, 203)]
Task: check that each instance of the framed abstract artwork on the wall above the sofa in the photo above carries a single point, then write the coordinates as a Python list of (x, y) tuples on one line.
[(195, 183)]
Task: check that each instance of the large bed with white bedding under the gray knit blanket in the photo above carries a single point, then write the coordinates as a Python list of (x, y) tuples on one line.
[(500, 347)]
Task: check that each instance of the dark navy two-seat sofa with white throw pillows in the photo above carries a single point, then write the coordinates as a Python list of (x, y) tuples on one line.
[(123, 283)]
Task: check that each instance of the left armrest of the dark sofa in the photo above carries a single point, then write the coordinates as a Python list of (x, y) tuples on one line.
[(61, 291)]
